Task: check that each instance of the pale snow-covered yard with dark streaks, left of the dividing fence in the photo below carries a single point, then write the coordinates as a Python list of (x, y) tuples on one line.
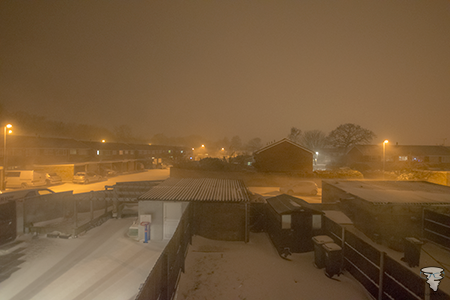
[(104, 263)]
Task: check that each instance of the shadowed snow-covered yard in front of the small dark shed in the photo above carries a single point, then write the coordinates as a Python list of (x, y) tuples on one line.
[(223, 270)]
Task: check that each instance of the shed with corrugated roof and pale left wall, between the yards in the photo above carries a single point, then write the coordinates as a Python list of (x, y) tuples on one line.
[(220, 207)]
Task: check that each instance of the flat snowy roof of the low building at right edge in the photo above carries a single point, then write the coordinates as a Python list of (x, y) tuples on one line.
[(398, 192)]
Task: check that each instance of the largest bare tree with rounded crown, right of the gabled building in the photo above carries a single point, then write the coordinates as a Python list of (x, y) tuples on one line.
[(348, 135)]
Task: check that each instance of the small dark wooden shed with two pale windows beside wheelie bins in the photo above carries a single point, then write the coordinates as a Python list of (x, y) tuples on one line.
[(292, 223)]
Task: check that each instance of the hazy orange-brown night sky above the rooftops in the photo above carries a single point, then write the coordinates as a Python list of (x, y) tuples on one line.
[(225, 68)]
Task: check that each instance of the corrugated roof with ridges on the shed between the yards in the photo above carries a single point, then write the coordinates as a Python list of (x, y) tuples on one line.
[(198, 189)]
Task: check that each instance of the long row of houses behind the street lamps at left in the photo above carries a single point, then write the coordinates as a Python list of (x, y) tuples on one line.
[(68, 156)]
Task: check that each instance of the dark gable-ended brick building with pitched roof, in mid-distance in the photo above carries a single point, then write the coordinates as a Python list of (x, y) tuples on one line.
[(284, 156)]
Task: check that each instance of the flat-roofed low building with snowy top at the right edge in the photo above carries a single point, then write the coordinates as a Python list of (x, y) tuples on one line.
[(387, 210)]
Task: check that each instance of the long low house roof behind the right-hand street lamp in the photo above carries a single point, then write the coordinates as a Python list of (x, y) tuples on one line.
[(421, 150)]
